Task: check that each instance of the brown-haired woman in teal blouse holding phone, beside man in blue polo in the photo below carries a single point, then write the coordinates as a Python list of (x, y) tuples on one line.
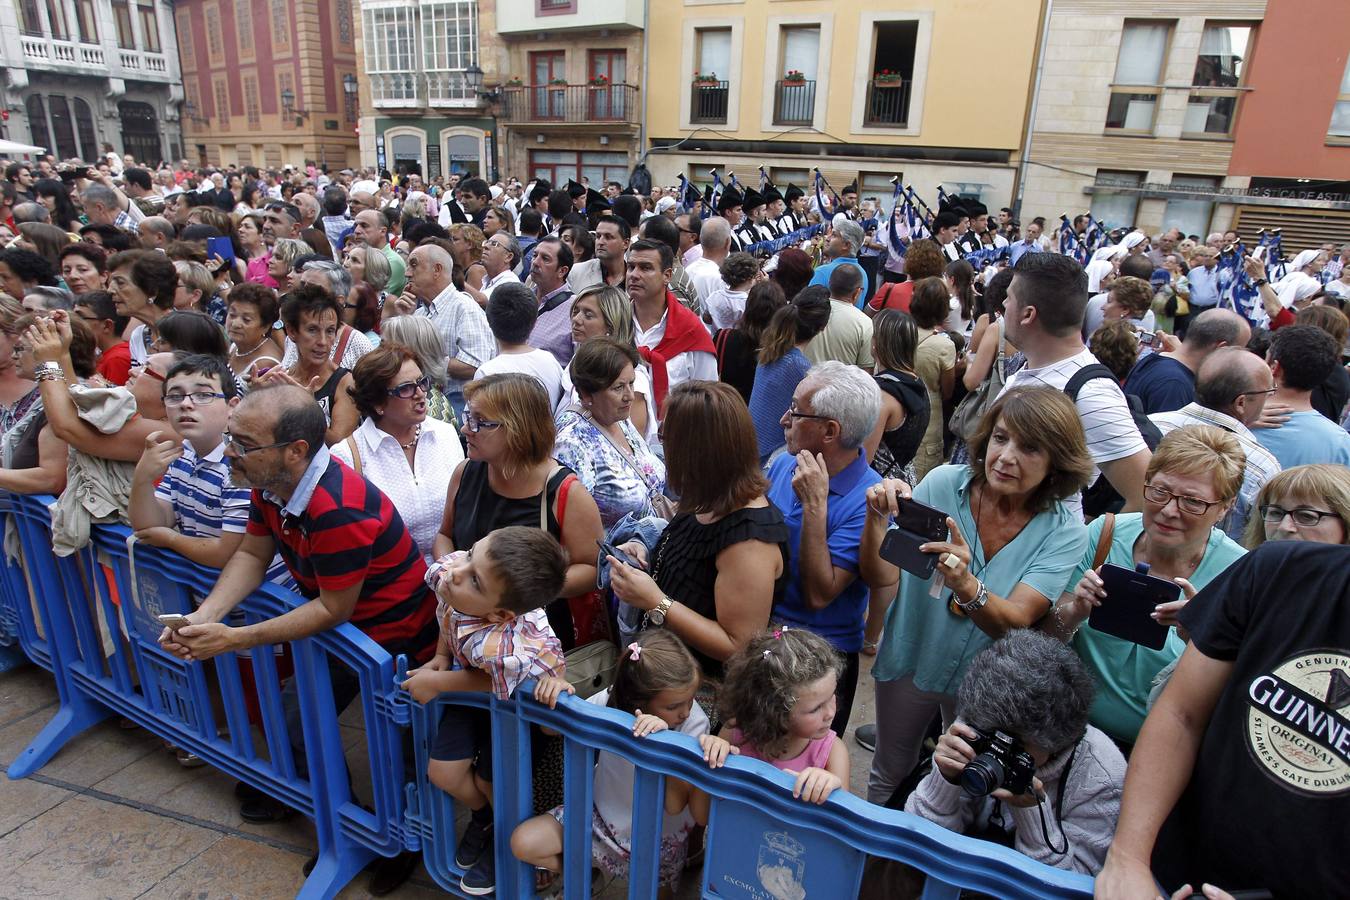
[(1013, 546)]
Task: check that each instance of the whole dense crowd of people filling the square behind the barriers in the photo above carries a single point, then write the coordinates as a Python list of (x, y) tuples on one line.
[(1089, 522)]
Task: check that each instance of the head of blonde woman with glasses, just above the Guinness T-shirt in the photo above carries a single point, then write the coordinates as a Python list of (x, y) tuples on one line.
[(1303, 504)]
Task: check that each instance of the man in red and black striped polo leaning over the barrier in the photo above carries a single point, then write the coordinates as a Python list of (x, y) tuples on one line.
[(341, 538)]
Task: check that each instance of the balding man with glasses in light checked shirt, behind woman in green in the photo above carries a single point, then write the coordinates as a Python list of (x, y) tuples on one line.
[(1232, 389)]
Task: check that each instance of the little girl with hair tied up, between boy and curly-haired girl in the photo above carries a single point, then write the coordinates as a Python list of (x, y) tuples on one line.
[(655, 681)]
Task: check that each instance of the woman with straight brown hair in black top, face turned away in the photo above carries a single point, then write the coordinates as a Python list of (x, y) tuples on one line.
[(722, 563)]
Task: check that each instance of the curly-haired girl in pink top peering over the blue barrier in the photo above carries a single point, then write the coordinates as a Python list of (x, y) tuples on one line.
[(778, 702)]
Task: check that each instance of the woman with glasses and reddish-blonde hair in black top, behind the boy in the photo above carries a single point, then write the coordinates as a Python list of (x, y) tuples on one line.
[(511, 478)]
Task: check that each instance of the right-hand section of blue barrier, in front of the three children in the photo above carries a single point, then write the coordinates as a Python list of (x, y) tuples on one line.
[(761, 841)]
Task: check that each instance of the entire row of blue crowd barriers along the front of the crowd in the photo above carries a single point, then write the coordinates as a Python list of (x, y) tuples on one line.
[(92, 621)]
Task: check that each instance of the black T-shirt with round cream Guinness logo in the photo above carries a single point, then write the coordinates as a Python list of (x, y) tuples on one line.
[(1270, 801)]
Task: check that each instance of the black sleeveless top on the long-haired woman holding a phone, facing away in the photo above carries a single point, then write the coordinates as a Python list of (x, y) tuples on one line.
[(685, 561)]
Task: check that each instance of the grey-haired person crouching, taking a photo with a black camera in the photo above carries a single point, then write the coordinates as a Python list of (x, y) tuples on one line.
[(1023, 766)]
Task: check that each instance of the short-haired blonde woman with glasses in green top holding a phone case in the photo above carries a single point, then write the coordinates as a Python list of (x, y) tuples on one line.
[(1189, 488)]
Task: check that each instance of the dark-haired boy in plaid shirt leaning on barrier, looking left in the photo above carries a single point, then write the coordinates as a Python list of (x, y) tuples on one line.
[(495, 628)]
